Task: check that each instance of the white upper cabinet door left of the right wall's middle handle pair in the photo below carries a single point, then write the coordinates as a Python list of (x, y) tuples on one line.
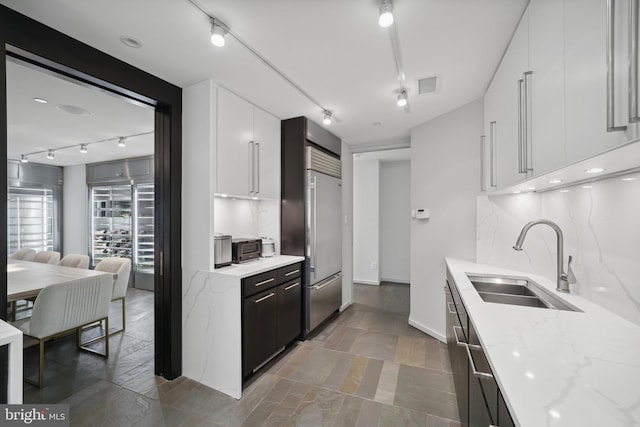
[(514, 64)]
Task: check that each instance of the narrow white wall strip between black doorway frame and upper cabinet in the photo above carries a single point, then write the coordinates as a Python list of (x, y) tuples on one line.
[(198, 174)]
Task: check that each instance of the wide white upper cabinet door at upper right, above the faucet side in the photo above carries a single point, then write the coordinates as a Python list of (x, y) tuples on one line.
[(586, 78)]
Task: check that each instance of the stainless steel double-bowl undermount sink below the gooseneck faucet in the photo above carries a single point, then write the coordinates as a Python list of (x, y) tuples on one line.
[(513, 291)]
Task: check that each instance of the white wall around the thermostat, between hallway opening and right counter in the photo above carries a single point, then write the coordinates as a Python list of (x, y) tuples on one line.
[(445, 171)]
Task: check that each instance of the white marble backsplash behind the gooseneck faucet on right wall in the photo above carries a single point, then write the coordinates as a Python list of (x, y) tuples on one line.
[(601, 227)]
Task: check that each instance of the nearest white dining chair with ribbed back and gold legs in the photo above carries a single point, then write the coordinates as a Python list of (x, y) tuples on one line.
[(67, 307)]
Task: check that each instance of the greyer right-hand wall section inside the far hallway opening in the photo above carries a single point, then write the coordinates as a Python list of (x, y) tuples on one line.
[(395, 221)]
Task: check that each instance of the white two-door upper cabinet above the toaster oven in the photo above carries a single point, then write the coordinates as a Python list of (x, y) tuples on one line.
[(248, 149)]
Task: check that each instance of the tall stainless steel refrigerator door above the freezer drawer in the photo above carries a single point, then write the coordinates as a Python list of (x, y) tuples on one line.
[(325, 225)]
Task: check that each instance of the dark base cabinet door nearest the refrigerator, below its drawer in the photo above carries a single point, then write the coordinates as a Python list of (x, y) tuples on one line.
[(289, 311)]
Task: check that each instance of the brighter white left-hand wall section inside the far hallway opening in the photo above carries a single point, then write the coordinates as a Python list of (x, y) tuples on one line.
[(366, 226)]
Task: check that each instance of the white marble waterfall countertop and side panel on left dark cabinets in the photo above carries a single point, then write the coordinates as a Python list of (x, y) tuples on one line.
[(212, 322)]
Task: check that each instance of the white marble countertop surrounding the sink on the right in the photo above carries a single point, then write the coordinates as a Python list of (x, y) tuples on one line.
[(554, 367)]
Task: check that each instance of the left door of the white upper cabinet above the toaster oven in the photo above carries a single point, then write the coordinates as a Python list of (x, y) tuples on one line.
[(234, 145)]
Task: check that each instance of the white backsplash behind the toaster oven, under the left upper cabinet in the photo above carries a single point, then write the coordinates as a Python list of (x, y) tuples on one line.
[(248, 218)]
